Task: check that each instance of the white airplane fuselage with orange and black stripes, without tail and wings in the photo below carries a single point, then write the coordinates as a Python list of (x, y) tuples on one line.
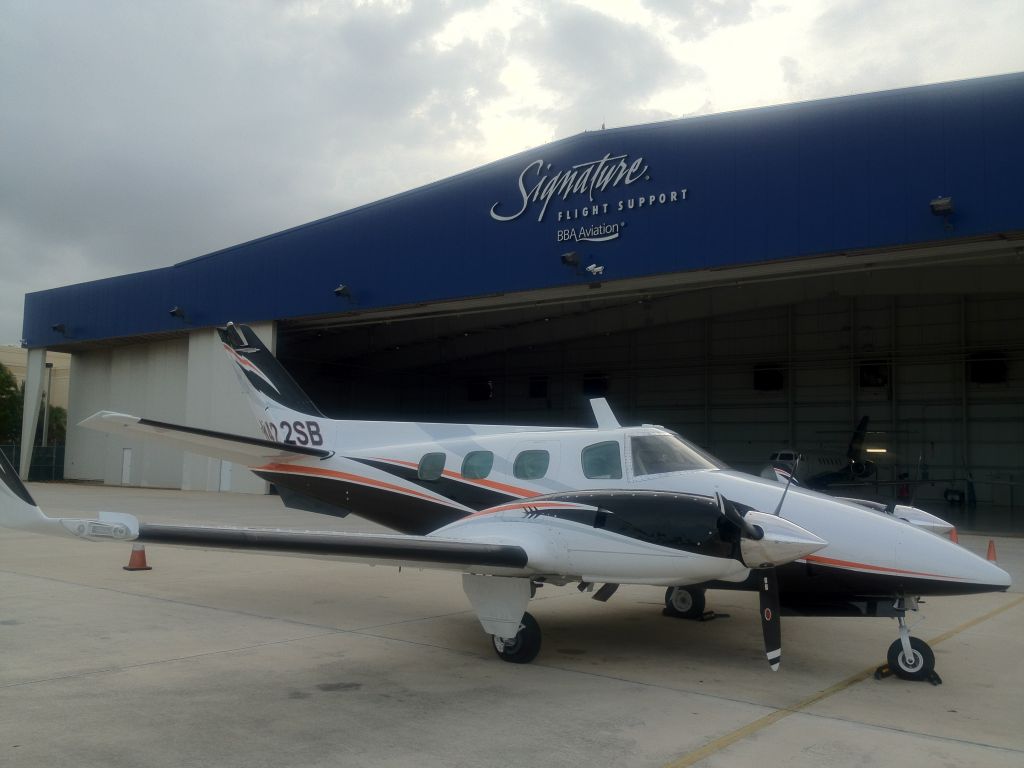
[(435, 488)]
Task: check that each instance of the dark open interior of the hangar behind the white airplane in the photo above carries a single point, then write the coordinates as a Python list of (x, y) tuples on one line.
[(933, 355)]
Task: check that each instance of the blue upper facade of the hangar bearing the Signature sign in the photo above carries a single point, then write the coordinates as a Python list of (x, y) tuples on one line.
[(743, 188)]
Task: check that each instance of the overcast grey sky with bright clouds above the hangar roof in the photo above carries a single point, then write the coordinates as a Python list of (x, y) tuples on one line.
[(138, 135)]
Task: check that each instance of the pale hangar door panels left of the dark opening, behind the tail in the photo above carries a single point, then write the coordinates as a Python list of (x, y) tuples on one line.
[(186, 380)]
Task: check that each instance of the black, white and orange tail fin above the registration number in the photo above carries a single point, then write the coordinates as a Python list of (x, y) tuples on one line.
[(270, 386)]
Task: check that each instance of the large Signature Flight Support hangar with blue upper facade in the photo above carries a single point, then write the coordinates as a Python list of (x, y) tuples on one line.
[(754, 280)]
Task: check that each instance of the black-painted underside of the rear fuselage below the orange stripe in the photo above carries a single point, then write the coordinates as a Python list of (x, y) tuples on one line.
[(398, 511)]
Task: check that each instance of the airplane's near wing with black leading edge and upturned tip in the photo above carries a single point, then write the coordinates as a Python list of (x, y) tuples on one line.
[(20, 511)]
